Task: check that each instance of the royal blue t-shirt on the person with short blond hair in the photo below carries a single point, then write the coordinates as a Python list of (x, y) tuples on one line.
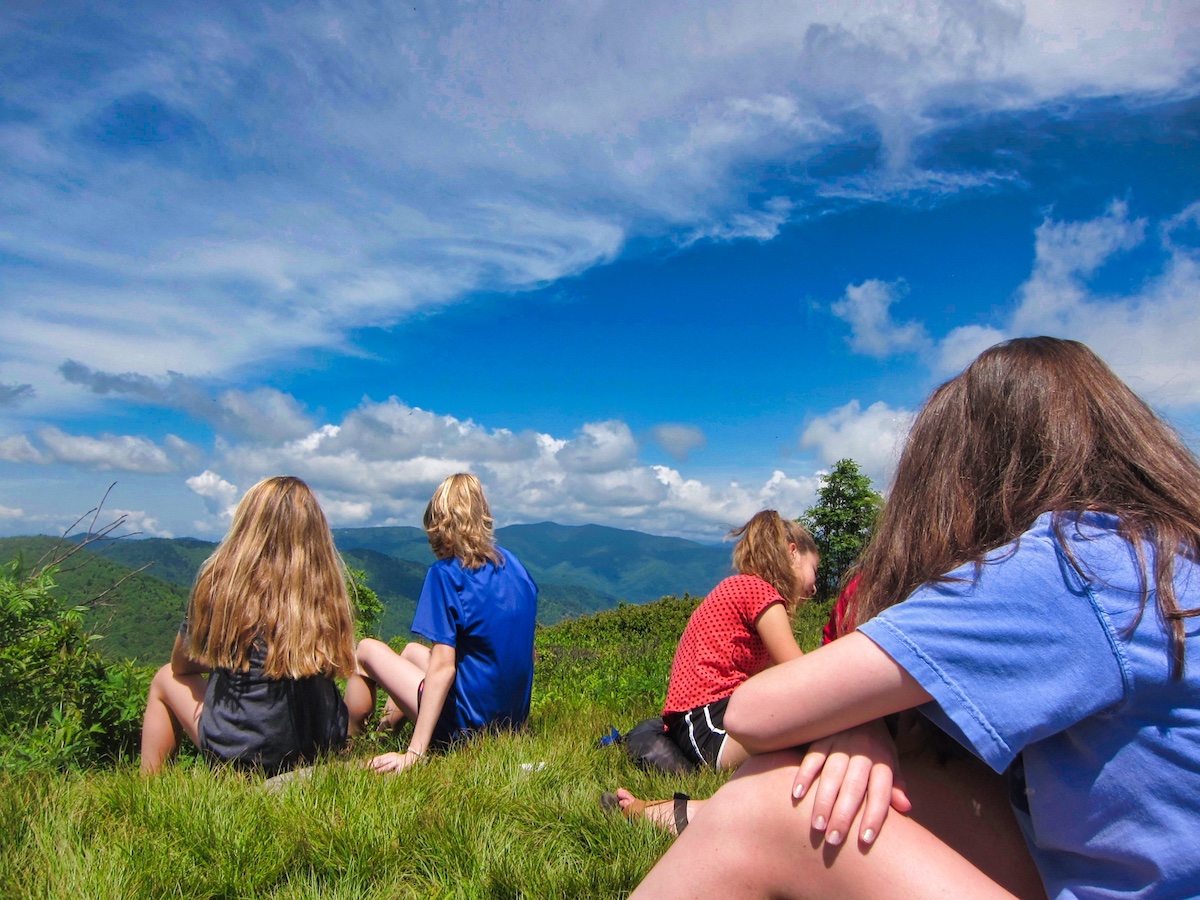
[(488, 615)]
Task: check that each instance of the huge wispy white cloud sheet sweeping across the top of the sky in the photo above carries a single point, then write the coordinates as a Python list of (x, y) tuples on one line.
[(478, 147)]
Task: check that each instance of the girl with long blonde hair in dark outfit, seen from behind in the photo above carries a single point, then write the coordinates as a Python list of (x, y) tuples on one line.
[(271, 620)]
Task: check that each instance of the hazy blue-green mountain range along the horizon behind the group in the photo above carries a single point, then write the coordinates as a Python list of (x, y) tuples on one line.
[(579, 569)]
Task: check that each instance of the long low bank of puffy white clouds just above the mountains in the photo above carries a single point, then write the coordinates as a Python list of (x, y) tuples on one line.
[(381, 464)]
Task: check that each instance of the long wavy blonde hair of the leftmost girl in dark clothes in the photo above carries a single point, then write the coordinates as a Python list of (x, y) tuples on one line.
[(277, 578)]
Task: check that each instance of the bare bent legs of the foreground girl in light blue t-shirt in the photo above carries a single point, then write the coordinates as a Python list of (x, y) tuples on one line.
[(757, 842)]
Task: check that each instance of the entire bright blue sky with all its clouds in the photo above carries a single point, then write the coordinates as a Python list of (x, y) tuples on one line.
[(647, 265)]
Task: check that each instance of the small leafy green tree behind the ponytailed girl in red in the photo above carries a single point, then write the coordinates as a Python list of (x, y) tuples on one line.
[(842, 523)]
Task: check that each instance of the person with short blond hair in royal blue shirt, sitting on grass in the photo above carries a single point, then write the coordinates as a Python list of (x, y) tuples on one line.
[(478, 609)]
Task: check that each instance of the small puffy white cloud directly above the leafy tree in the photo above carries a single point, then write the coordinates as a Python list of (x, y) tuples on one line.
[(873, 437)]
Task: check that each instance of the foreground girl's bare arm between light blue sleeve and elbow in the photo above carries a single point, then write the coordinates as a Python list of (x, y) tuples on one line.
[(841, 686)]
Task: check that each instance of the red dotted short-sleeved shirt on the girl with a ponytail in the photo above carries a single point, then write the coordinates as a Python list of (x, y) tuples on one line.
[(721, 649)]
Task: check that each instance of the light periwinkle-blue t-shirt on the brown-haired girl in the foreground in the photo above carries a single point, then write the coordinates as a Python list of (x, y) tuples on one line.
[(1035, 664)]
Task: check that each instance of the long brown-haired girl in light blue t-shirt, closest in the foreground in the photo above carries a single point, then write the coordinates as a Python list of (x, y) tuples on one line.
[(1031, 587)]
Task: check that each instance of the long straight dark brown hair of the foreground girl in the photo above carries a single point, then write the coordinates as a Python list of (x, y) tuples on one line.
[(1034, 425)]
